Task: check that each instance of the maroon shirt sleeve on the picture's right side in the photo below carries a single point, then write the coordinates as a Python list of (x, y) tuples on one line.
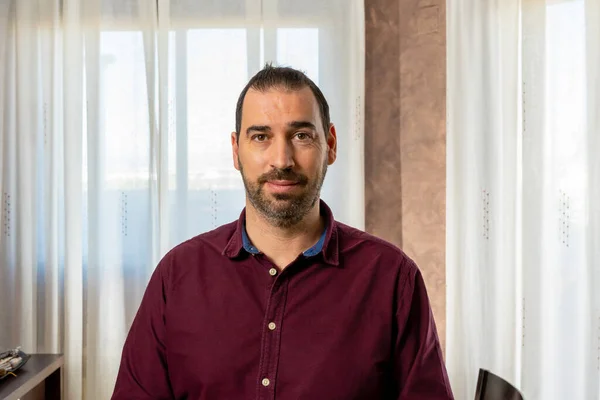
[(420, 371)]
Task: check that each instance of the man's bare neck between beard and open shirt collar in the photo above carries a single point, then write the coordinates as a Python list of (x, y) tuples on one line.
[(283, 244)]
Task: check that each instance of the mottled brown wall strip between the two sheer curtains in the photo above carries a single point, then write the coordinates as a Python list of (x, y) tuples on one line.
[(405, 138)]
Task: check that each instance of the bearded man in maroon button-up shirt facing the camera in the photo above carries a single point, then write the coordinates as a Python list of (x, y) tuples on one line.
[(286, 303)]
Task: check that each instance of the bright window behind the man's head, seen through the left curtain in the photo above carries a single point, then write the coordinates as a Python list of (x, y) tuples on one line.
[(208, 68)]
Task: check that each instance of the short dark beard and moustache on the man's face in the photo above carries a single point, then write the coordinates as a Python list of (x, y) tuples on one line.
[(284, 210)]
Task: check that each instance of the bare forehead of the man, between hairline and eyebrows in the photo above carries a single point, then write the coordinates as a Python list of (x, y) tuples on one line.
[(280, 106)]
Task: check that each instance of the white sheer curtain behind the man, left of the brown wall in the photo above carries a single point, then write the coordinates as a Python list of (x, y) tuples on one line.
[(115, 119)]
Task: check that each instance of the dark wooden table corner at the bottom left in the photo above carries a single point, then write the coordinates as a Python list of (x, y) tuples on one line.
[(41, 377)]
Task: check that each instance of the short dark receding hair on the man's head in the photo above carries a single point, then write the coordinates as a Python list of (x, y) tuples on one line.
[(286, 78)]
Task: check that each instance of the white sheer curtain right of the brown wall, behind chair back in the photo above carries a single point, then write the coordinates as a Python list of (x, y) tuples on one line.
[(523, 210)]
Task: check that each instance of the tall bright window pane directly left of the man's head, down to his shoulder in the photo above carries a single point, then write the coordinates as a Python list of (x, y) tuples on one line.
[(217, 71)]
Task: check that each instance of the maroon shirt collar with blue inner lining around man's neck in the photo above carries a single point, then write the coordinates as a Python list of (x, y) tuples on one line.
[(327, 244)]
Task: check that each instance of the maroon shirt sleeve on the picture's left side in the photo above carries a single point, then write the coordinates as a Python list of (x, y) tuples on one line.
[(143, 371)]
